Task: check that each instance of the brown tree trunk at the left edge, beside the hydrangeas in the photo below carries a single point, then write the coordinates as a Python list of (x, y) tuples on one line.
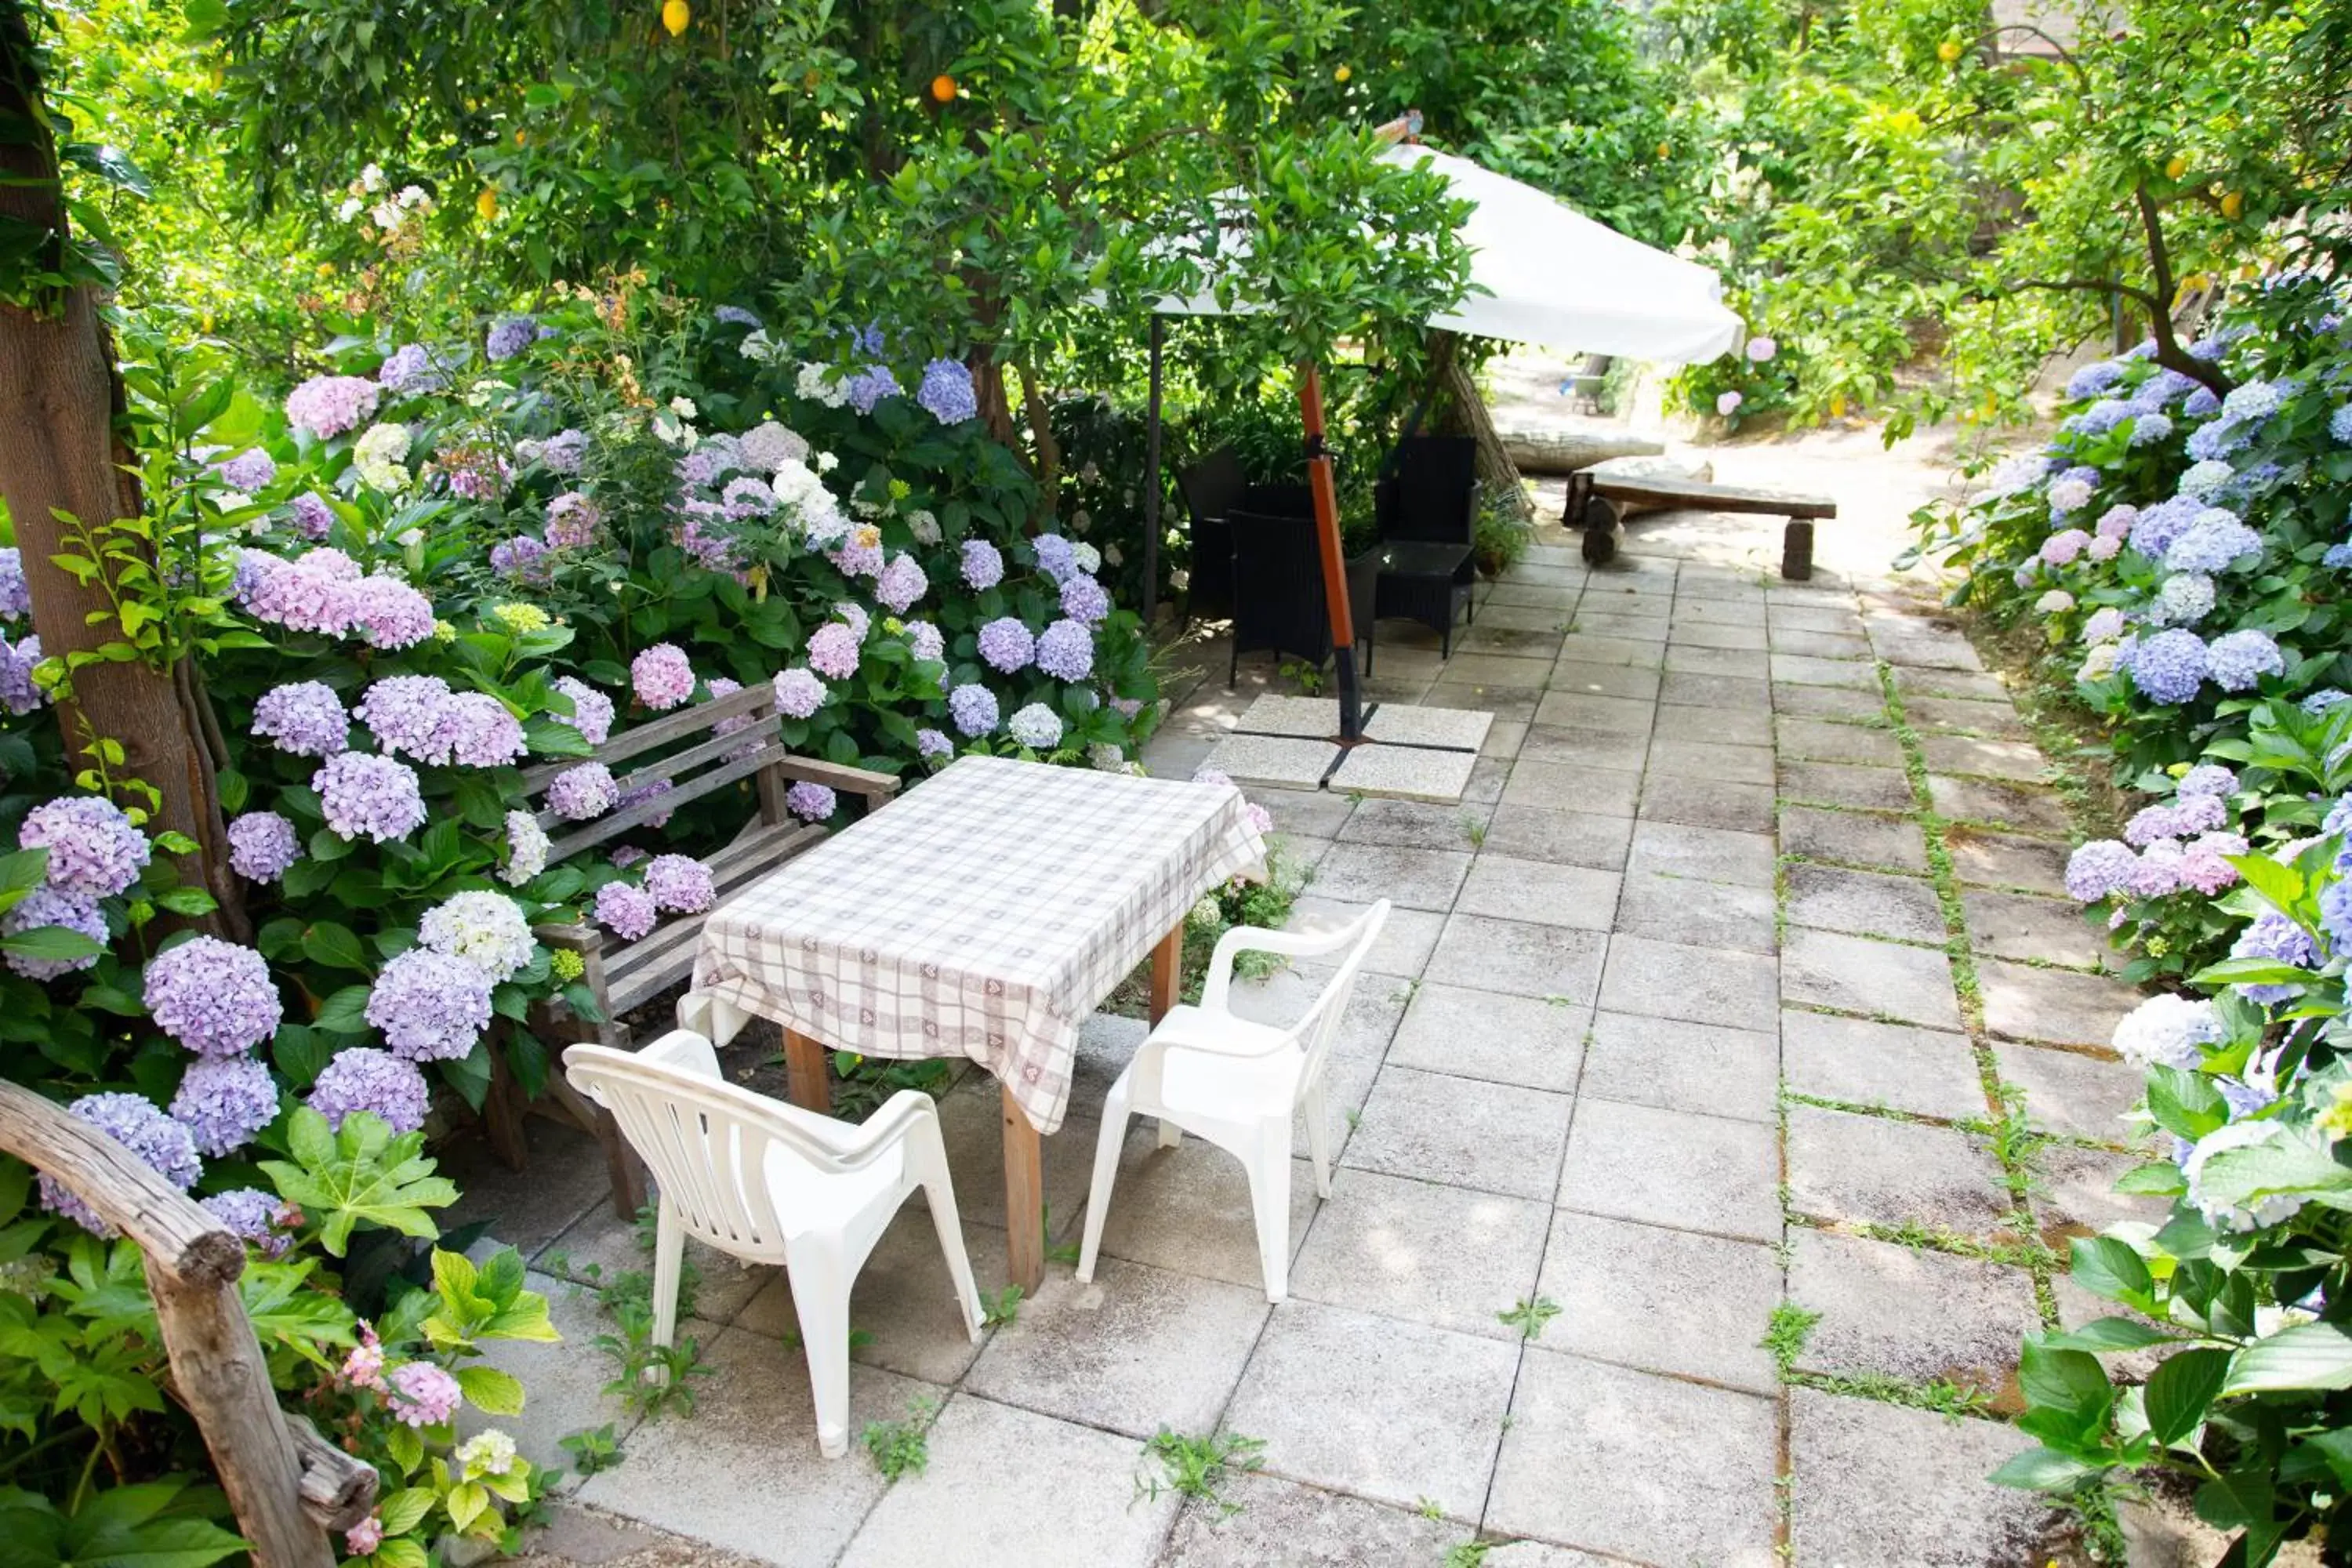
[(60, 455)]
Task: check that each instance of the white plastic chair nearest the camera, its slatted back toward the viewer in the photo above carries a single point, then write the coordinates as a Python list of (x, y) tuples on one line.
[(775, 1184)]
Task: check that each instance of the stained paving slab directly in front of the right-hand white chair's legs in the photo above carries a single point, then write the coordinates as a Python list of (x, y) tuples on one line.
[(1135, 1353)]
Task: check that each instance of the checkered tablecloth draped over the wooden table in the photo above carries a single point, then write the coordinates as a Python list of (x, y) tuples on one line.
[(984, 916)]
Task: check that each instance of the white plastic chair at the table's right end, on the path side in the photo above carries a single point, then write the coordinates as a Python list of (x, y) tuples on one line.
[(1238, 1085)]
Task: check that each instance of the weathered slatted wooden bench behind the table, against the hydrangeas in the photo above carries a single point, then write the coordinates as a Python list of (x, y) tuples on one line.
[(686, 751)]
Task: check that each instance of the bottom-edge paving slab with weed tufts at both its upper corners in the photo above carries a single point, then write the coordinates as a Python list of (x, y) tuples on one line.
[(1608, 1428)]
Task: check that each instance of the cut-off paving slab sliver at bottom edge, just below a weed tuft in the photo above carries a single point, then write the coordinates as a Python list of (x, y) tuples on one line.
[(1302, 1527)]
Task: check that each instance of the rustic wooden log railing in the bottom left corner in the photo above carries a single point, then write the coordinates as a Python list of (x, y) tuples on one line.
[(286, 1482)]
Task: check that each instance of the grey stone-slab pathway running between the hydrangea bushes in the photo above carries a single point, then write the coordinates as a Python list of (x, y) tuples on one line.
[(1732, 1017)]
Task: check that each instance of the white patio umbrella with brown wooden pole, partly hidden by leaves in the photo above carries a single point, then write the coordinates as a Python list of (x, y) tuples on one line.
[(1539, 274)]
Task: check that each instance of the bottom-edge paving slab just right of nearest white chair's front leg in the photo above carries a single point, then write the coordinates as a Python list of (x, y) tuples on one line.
[(1013, 1489)]
